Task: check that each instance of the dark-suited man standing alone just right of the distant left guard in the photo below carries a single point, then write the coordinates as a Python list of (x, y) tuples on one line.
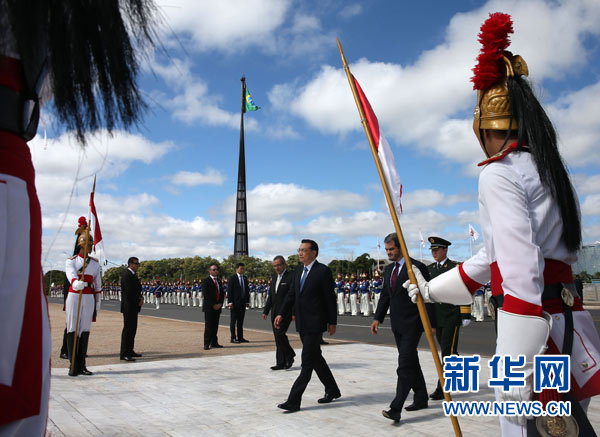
[(131, 304)]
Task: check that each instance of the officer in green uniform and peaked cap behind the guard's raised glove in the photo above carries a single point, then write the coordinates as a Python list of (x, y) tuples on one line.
[(449, 317)]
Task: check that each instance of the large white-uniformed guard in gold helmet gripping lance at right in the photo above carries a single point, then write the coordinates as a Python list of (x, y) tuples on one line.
[(529, 215)]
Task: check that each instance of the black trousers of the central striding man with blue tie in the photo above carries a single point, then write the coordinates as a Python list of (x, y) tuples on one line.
[(312, 359)]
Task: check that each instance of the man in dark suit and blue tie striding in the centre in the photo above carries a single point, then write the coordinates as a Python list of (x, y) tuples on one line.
[(312, 293)]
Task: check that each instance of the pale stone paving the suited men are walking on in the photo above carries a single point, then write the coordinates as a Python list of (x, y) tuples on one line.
[(236, 395)]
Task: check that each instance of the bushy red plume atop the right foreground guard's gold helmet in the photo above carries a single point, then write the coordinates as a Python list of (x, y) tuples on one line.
[(493, 37)]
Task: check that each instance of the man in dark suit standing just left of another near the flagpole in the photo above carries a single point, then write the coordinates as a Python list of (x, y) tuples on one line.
[(214, 295)]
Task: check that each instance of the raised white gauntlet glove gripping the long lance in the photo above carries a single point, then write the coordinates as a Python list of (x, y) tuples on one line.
[(447, 288)]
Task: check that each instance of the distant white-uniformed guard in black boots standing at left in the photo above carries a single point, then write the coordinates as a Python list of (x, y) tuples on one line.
[(85, 283)]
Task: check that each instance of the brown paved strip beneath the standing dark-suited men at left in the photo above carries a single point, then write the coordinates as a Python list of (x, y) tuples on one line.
[(158, 339)]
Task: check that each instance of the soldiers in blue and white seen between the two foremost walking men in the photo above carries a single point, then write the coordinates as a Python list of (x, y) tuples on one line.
[(356, 296)]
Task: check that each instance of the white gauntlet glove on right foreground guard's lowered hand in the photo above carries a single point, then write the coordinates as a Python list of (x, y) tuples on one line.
[(511, 341)]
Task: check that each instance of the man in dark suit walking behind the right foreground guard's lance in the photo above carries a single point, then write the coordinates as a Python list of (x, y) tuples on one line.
[(406, 327)]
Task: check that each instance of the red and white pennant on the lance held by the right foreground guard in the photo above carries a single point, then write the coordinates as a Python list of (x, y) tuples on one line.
[(384, 152)]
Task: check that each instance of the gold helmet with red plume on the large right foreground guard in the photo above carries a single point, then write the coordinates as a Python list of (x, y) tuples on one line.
[(494, 65)]
